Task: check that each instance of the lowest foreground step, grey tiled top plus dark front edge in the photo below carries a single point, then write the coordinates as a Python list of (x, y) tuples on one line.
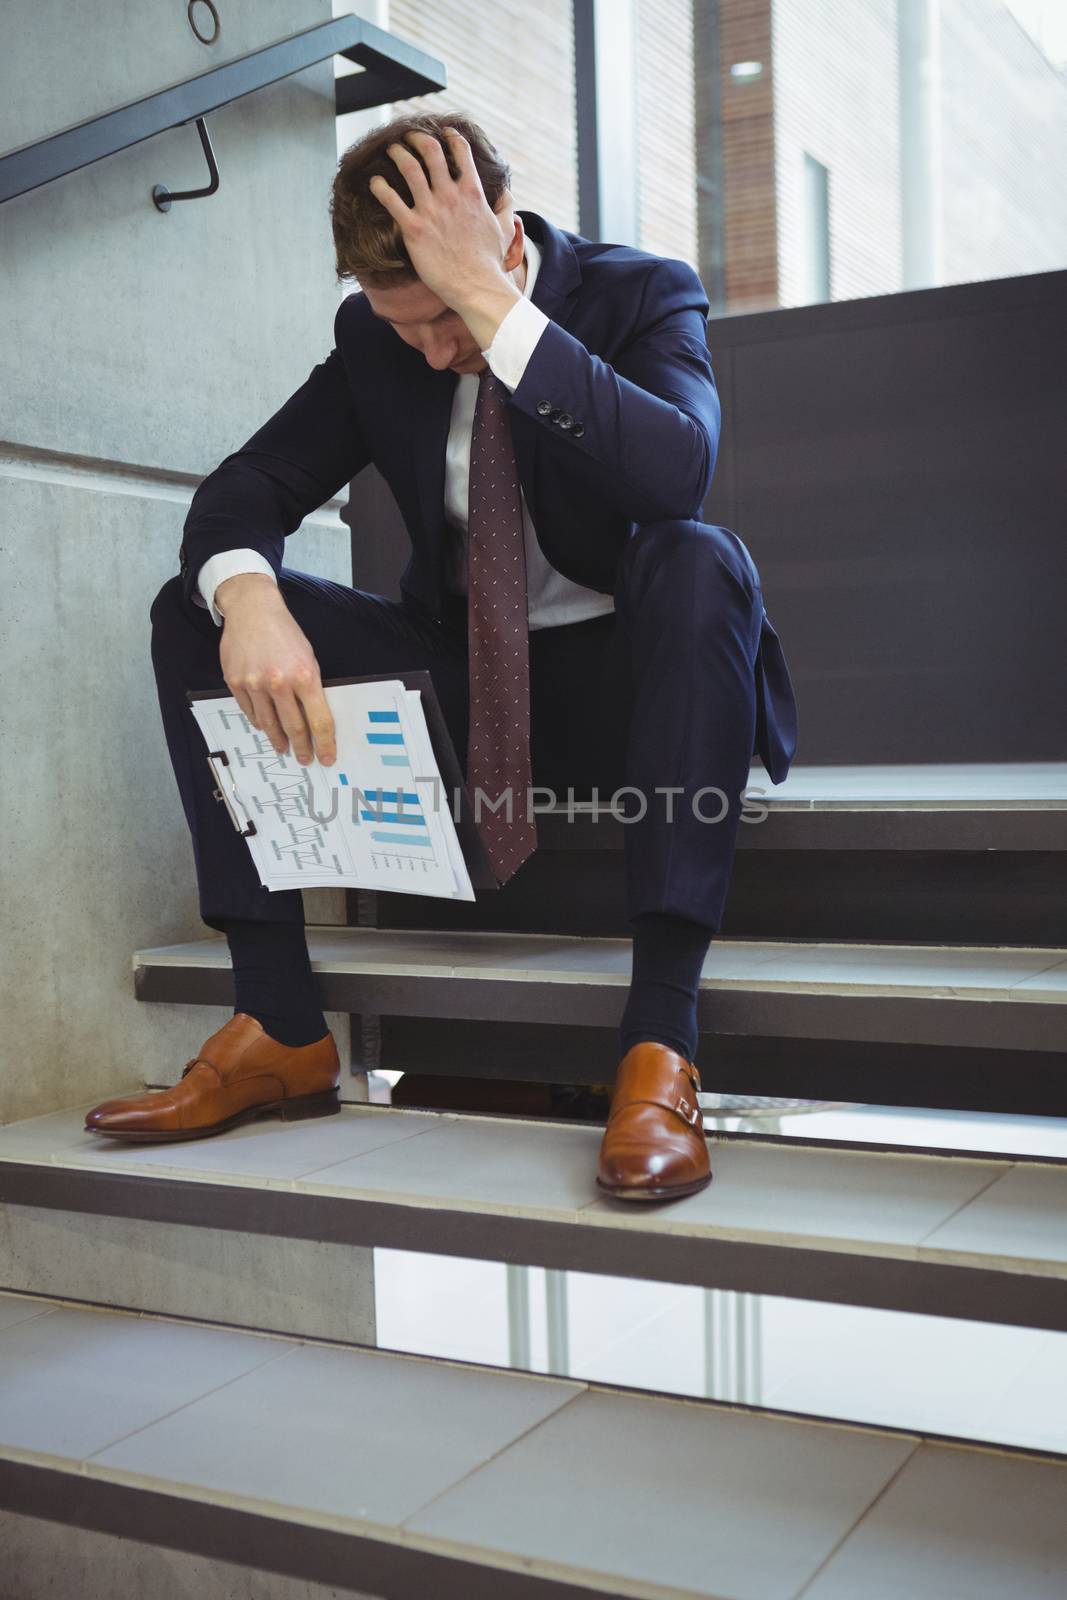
[(398, 1476)]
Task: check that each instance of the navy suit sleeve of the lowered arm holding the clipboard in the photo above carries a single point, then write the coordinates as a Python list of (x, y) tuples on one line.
[(290, 466)]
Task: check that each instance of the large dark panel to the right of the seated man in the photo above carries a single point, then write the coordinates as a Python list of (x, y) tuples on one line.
[(900, 481)]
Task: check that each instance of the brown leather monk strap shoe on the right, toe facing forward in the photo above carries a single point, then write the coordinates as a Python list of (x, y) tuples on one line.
[(655, 1145)]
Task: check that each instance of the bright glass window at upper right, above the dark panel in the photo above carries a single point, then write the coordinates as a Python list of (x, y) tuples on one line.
[(850, 148)]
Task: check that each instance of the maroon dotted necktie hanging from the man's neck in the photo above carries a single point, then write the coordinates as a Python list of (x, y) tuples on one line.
[(498, 639)]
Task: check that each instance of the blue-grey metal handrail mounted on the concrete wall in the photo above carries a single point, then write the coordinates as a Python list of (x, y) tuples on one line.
[(393, 71)]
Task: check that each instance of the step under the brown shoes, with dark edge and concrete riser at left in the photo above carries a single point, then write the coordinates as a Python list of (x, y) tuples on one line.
[(212, 1223)]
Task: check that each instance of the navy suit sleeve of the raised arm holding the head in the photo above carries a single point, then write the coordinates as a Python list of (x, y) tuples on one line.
[(649, 423)]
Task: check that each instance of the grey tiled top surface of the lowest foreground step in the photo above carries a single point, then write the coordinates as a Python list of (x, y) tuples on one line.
[(554, 1474)]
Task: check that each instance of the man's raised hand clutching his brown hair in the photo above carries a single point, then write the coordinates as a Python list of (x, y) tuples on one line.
[(454, 238)]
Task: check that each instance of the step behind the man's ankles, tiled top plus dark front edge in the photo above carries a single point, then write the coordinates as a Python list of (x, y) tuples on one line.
[(954, 996)]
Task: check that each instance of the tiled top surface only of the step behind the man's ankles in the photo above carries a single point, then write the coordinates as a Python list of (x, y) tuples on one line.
[(935, 972)]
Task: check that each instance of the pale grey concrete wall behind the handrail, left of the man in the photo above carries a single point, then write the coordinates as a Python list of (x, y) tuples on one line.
[(137, 351)]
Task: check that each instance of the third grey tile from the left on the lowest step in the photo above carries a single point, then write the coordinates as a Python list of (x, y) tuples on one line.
[(577, 1482)]
